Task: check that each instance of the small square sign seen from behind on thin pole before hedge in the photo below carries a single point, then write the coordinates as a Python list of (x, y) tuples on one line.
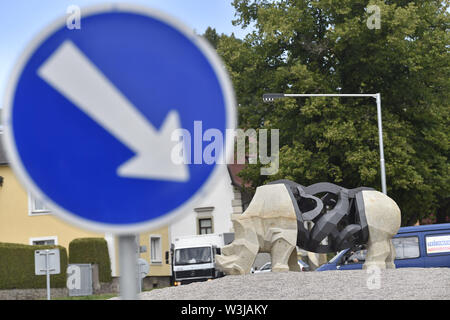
[(46, 262)]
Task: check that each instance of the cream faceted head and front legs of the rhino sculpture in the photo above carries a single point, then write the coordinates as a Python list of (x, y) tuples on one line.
[(268, 225)]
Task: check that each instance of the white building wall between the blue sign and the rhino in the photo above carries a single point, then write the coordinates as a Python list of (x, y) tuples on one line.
[(220, 197)]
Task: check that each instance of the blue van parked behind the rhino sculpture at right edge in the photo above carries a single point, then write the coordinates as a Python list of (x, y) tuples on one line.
[(426, 246)]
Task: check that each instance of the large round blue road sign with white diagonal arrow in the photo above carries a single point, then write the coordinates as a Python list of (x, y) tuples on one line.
[(90, 115)]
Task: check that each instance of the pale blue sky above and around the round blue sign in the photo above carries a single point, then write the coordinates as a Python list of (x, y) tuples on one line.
[(21, 20)]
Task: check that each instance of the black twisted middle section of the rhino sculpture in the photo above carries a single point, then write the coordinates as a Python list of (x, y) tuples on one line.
[(336, 213)]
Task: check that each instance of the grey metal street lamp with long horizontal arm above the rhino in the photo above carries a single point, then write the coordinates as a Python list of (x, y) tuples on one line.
[(270, 97)]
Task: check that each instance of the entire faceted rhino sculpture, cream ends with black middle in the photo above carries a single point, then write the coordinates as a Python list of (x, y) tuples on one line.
[(276, 221)]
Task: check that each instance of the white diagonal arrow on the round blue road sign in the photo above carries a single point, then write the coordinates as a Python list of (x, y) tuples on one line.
[(72, 74)]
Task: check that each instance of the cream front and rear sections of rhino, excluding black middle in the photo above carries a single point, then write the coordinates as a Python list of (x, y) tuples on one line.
[(270, 225)]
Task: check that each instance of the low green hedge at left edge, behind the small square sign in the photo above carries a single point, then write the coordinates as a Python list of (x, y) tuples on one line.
[(17, 267)]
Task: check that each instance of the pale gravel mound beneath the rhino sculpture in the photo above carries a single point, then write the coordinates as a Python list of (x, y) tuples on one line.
[(405, 283)]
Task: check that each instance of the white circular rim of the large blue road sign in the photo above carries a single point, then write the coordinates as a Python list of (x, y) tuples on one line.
[(22, 174)]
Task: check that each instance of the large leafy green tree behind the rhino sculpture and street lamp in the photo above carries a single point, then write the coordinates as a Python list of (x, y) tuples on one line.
[(325, 46)]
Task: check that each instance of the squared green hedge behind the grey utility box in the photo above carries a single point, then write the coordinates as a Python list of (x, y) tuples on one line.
[(94, 251)]
